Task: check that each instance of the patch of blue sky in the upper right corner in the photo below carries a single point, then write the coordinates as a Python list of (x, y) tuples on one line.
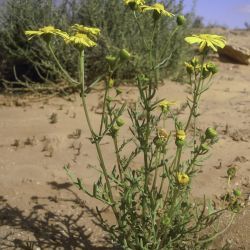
[(229, 13)]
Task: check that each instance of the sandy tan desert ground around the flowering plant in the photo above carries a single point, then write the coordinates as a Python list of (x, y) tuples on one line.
[(39, 207)]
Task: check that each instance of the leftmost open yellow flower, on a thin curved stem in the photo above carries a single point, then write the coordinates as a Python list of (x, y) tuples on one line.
[(45, 32)]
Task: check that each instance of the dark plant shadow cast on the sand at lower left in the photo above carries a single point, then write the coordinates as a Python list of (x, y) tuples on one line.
[(48, 230)]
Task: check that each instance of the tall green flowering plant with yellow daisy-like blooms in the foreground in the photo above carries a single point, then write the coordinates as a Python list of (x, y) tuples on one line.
[(151, 202)]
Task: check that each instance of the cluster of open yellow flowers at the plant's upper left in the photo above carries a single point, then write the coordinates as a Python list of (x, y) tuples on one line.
[(82, 36)]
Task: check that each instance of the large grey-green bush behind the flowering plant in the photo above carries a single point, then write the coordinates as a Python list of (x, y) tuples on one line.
[(31, 61)]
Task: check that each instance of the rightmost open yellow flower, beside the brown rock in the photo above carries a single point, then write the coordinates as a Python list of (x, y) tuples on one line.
[(207, 41)]
